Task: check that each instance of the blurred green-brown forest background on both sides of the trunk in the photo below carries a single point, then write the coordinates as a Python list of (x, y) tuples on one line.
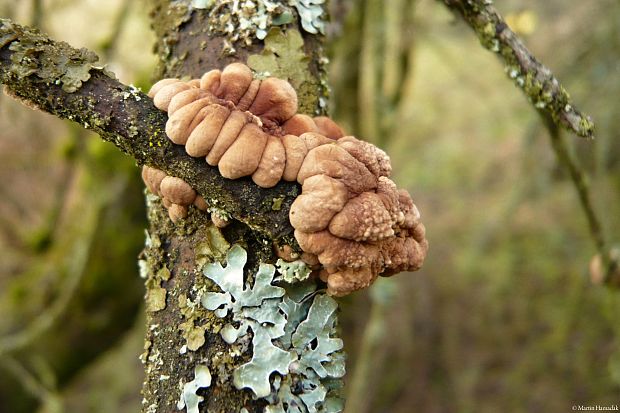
[(503, 316)]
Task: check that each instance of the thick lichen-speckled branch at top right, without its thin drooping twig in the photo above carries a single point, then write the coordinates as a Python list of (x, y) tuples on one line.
[(537, 81)]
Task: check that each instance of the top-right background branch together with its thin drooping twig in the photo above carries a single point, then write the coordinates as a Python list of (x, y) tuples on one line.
[(549, 98)]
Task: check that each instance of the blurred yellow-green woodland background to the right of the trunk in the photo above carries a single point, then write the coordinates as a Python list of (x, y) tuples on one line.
[(503, 316)]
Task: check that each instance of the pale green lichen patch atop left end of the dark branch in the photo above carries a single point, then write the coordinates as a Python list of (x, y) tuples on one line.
[(34, 54)]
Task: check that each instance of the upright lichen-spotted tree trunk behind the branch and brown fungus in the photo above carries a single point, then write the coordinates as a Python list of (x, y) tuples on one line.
[(182, 336)]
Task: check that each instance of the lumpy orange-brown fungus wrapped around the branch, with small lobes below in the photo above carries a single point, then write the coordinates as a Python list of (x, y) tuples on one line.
[(350, 218)]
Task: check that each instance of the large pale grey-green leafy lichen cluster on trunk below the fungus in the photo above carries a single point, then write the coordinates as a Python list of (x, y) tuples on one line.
[(293, 331)]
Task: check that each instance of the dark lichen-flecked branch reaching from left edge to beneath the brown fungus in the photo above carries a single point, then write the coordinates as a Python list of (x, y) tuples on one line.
[(64, 81)]
